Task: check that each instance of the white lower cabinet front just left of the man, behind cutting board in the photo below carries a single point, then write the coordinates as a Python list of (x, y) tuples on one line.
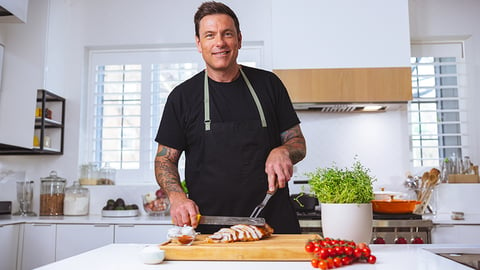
[(144, 234)]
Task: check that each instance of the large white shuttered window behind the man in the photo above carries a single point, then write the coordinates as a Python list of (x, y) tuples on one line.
[(126, 94)]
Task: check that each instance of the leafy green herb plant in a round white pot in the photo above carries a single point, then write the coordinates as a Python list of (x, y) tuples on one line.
[(345, 196)]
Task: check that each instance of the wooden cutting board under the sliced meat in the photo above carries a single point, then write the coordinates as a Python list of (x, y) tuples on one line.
[(278, 247)]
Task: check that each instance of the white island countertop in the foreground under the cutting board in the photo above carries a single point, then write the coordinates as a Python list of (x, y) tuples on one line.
[(389, 257)]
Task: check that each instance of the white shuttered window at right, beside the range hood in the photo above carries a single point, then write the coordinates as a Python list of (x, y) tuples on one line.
[(436, 117)]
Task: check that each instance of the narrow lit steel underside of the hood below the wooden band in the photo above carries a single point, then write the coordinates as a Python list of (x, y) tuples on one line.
[(349, 107)]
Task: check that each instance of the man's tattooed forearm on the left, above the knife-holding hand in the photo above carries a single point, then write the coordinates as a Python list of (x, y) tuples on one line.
[(166, 169)]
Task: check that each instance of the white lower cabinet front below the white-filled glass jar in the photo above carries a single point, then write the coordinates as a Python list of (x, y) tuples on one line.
[(73, 239)]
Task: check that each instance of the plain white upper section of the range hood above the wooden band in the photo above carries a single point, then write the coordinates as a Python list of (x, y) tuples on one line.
[(340, 34)]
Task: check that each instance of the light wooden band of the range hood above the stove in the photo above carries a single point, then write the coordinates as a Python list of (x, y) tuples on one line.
[(348, 84)]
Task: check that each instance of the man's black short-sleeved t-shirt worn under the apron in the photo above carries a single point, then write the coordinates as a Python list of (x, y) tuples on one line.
[(182, 125)]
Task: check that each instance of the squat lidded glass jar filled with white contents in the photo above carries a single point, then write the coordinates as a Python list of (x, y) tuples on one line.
[(77, 200)]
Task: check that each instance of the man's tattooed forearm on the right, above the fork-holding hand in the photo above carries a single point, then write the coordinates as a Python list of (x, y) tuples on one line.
[(294, 141)]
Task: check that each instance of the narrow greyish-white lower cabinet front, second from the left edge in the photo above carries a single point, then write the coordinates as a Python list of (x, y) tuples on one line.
[(38, 247)]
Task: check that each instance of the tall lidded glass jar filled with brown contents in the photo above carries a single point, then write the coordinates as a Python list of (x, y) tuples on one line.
[(52, 195)]
